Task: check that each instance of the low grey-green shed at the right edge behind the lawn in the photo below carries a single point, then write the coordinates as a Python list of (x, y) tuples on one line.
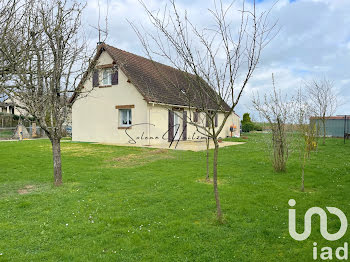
[(336, 126)]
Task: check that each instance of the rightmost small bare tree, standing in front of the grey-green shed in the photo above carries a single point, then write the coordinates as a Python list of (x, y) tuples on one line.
[(323, 98)]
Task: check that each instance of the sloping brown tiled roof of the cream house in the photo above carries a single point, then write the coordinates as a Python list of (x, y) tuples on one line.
[(160, 83)]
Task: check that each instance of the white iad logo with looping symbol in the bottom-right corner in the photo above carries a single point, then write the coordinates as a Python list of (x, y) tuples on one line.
[(327, 252)]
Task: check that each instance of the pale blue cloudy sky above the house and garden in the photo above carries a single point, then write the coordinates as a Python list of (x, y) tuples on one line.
[(313, 40)]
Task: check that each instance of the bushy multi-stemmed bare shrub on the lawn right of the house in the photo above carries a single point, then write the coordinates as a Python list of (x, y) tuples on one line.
[(277, 110)]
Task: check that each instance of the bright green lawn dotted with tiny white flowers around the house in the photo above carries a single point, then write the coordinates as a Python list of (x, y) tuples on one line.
[(134, 204)]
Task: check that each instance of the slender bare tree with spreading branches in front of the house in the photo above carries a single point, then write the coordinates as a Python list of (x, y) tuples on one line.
[(217, 61)]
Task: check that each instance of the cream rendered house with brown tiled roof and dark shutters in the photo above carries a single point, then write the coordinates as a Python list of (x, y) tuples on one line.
[(124, 99)]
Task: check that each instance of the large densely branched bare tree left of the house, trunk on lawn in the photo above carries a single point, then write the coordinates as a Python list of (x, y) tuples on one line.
[(43, 54)]
